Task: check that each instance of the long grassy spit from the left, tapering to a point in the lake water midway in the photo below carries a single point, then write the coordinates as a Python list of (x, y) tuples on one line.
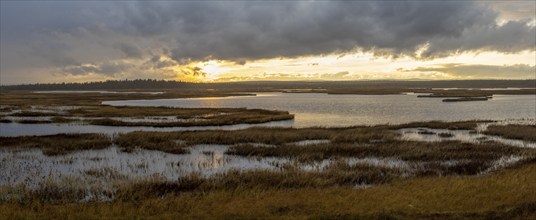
[(104, 115)]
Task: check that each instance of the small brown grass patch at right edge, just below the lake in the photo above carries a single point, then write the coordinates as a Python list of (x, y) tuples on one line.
[(521, 132)]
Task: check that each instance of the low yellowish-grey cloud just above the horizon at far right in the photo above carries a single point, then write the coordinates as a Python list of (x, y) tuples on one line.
[(518, 71)]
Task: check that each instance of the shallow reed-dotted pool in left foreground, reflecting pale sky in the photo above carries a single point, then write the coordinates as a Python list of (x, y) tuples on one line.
[(31, 167)]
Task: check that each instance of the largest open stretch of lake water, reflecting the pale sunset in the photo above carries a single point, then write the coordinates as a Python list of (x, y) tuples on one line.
[(319, 109)]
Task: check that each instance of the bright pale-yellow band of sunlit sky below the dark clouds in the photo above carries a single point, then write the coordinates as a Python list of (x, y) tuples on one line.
[(354, 66)]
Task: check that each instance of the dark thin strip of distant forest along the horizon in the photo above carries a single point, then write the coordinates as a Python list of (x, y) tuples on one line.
[(151, 84)]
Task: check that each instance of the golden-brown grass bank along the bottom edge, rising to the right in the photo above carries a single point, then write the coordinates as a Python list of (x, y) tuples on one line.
[(508, 194)]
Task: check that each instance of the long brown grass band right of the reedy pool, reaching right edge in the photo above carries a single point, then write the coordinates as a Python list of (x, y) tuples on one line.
[(405, 150)]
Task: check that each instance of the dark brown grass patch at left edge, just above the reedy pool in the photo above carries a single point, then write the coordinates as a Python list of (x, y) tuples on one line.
[(58, 144)]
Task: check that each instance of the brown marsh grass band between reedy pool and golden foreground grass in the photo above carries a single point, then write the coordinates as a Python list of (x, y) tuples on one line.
[(288, 178)]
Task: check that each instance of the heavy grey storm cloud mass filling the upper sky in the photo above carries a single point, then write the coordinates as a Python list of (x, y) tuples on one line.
[(69, 34)]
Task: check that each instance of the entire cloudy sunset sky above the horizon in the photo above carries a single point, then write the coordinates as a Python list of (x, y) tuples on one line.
[(221, 41)]
